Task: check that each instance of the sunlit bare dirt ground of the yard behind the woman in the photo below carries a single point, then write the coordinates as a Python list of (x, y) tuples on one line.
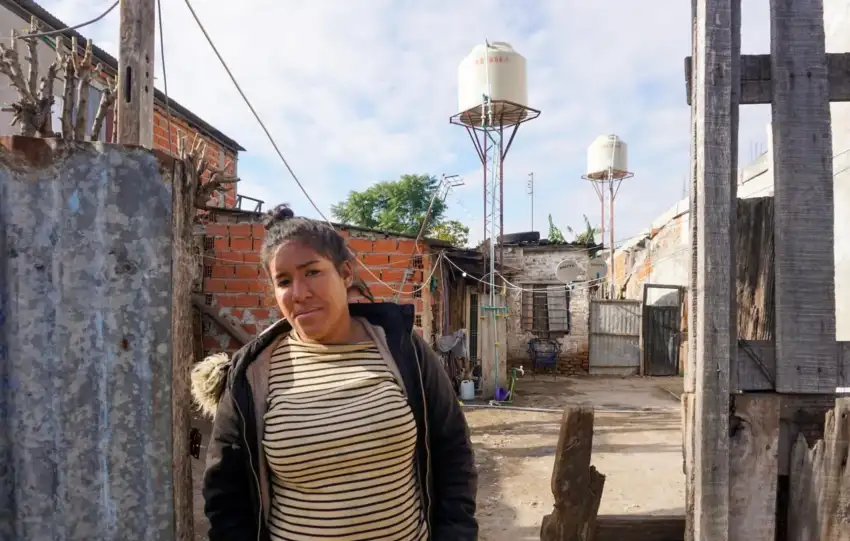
[(637, 445)]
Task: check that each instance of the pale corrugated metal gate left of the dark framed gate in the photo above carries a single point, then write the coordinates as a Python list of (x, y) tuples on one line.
[(614, 337)]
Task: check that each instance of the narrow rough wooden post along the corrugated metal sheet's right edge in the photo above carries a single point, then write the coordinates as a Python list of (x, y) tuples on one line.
[(183, 340)]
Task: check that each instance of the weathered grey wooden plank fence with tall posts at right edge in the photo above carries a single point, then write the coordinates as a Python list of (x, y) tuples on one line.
[(739, 430)]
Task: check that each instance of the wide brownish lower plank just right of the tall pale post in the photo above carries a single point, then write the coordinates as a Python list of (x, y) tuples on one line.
[(753, 467)]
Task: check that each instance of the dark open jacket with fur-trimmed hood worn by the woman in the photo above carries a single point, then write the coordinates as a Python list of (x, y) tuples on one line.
[(236, 479)]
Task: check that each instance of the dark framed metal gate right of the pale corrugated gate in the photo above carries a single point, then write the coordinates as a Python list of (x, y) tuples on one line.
[(662, 329)]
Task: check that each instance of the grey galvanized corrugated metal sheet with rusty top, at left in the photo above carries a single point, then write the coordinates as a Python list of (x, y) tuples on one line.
[(85, 344)]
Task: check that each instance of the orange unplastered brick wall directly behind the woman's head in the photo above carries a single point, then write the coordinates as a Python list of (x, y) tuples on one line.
[(237, 287)]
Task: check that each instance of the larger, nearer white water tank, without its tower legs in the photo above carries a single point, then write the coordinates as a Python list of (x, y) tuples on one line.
[(508, 84)]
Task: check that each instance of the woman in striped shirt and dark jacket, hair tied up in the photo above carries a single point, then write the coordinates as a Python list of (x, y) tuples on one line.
[(337, 422)]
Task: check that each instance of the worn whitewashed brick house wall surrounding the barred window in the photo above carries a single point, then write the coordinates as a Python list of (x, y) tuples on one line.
[(537, 266)]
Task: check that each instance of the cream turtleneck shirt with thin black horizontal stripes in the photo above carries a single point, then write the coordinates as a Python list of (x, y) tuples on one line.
[(340, 441)]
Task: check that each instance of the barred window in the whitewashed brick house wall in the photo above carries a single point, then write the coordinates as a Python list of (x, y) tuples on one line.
[(546, 310)]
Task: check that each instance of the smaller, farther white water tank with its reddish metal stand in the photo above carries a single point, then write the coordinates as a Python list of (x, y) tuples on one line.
[(607, 167)]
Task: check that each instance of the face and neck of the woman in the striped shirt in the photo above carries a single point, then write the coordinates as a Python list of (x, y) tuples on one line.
[(310, 292)]
